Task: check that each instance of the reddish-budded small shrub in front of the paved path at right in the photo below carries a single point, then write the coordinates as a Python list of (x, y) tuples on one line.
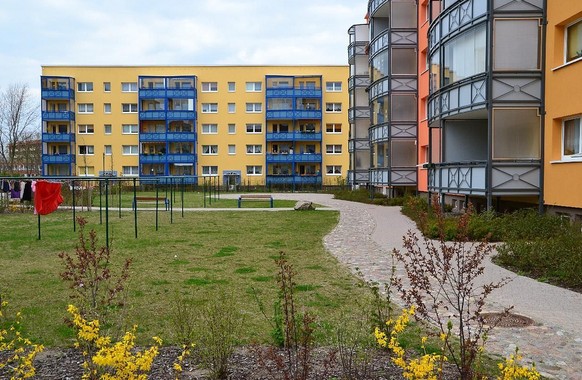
[(443, 285)]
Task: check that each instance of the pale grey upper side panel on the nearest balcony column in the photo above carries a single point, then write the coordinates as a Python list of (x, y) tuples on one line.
[(516, 44)]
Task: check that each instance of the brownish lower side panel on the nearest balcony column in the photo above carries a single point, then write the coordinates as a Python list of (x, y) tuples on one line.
[(516, 133)]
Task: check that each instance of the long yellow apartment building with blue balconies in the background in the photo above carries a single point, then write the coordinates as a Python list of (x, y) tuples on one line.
[(258, 125)]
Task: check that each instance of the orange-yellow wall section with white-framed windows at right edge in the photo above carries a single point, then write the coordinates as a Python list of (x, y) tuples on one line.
[(563, 136)]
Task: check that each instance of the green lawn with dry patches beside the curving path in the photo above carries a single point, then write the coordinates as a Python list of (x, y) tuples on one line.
[(195, 257)]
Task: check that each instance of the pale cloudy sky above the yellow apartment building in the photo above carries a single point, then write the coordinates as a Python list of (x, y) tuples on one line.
[(174, 32)]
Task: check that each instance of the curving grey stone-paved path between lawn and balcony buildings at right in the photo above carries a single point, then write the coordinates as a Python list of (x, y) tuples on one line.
[(365, 236)]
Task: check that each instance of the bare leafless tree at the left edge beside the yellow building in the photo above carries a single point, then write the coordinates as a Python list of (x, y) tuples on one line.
[(18, 119)]
